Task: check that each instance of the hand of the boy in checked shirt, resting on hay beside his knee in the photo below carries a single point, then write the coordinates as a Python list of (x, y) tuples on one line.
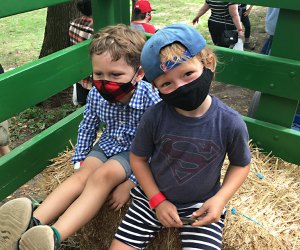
[(120, 195)]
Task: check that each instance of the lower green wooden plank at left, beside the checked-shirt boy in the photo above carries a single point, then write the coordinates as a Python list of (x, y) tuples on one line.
[(30, 158)]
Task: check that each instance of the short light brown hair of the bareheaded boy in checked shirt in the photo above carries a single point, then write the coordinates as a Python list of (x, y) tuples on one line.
[(120, 41)]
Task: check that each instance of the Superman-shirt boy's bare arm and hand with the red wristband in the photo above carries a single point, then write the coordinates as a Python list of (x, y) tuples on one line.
[(166, 212)]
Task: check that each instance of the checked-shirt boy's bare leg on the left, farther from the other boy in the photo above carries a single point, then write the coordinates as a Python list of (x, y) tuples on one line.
[(61, 198)]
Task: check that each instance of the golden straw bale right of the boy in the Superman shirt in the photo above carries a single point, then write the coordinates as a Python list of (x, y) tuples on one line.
[(268, 208)]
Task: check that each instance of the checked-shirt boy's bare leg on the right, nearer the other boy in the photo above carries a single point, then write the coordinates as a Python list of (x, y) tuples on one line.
[(85, 207)]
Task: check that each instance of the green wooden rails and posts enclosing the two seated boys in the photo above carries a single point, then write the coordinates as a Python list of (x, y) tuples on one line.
[(276, 76)]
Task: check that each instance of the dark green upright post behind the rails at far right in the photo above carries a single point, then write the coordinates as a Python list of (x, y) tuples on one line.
[(274, 109)]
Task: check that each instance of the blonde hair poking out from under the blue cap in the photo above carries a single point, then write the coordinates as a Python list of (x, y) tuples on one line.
[(174, 53)]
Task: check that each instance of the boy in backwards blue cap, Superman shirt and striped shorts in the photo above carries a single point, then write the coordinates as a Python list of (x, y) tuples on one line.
[(180, 146)]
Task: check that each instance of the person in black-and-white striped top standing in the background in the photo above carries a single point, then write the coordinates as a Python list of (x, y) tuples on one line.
[(224, 16)]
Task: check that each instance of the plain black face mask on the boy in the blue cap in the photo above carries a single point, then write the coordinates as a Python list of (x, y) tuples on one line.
[(190, 96)]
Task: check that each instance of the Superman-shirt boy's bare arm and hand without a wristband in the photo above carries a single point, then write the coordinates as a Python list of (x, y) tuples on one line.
[(211, 210)]
